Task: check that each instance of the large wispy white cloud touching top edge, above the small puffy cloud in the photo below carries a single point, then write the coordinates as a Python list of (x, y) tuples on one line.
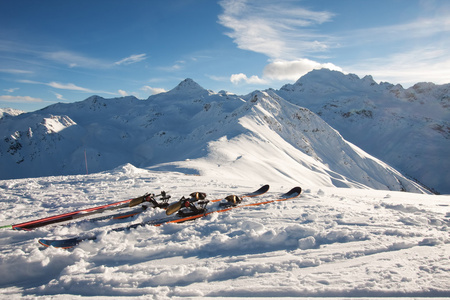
[(278, 30)]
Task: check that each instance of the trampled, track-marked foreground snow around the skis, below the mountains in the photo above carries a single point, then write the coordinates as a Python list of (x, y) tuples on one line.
[(329, 242)]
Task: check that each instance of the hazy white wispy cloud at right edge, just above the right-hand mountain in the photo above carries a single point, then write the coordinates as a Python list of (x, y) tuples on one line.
[(418, 51)]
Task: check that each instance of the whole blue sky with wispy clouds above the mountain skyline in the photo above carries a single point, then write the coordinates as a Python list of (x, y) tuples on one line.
[(65, 51)]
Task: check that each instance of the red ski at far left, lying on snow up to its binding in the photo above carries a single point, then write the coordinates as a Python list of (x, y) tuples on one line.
[(151, 198)]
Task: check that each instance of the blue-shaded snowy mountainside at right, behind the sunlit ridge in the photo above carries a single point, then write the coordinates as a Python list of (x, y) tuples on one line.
[(406, 128)]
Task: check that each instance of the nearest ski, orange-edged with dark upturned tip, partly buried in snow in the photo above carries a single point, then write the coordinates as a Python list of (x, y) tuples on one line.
[(72, 242)]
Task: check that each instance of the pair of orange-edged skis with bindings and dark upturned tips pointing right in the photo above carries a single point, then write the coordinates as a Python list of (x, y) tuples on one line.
[(186, 210)]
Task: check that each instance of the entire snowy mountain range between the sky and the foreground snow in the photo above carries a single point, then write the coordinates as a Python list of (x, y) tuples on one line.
[(298, 134)]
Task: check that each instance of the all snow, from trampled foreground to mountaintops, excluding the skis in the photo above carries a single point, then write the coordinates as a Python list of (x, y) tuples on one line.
[(361, 228)]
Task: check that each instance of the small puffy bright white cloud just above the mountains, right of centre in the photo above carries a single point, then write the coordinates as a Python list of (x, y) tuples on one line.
[(293, 70)]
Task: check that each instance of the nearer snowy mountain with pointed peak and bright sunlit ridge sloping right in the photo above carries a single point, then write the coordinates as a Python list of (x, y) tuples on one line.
[(193, 130)]
